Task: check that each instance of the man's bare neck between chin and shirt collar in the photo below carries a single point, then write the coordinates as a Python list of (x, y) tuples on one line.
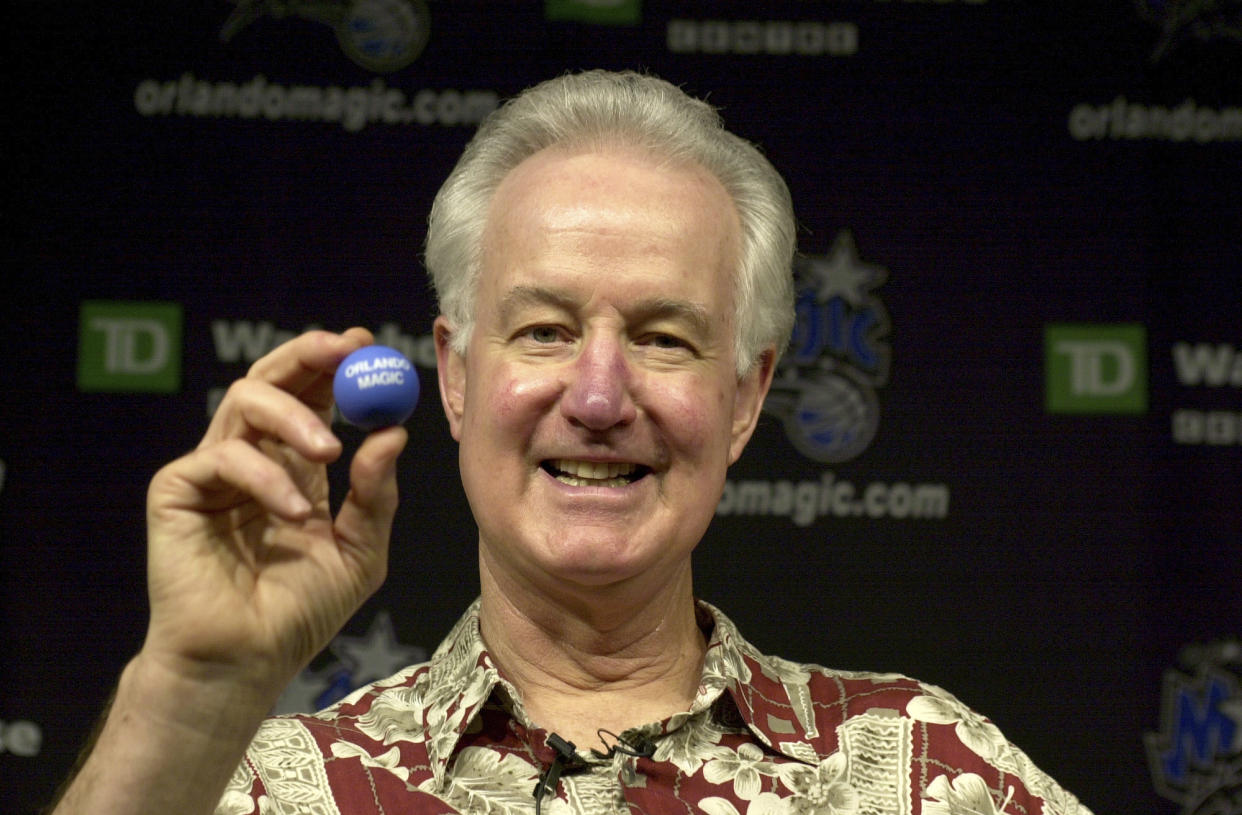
[(610, 658)]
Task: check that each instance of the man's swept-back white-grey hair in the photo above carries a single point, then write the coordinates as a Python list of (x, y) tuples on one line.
[(596, 110)]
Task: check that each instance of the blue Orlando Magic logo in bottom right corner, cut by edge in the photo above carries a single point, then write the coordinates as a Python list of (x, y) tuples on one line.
[(1197, 757)]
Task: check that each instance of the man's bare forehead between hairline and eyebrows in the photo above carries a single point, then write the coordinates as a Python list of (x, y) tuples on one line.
[(614, 211)]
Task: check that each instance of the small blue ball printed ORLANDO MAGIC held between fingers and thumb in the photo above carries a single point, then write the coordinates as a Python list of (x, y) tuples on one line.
[(376, 387)]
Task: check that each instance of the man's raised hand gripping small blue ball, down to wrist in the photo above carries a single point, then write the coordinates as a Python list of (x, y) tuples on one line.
[(249, 572)]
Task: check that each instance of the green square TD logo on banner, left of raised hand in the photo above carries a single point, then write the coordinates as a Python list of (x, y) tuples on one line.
[(130, 347)]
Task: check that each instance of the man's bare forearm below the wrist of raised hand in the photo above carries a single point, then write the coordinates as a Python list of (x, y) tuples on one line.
[(168, 745)]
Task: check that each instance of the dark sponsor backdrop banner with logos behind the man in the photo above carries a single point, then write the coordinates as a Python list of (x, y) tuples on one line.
[(1004, 453)]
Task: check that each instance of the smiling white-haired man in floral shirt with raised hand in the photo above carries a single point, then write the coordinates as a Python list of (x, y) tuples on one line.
[(614, 273)]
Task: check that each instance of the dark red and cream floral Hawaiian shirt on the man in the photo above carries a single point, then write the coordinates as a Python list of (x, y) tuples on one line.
[(763, 737)]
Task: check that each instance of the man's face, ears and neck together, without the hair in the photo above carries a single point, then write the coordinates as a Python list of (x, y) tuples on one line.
[(598, 408)]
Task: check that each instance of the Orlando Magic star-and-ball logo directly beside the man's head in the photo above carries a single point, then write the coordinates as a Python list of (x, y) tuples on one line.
[(825, 388)]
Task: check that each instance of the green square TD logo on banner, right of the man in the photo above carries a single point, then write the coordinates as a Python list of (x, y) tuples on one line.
[(1096, 368)]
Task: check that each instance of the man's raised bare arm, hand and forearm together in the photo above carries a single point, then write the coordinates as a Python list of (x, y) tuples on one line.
[(250, 576)]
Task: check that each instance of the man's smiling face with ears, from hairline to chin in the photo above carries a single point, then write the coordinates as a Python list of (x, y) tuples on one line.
[(598, 404)]
